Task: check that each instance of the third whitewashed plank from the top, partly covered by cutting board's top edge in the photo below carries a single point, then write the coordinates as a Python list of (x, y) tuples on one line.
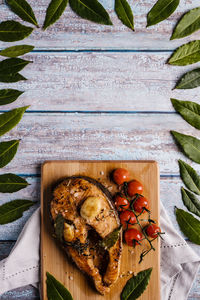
[(97, 136)]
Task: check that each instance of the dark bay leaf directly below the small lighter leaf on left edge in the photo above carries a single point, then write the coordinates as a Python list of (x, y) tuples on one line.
[(12, 65)]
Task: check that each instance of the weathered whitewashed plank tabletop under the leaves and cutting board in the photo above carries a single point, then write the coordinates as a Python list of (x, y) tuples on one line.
[(98, 92)]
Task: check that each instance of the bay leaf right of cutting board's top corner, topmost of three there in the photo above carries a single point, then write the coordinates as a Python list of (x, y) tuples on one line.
[(190, 177)]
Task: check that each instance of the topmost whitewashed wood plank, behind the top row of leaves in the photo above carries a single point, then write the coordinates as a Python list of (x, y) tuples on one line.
[(71, 32)]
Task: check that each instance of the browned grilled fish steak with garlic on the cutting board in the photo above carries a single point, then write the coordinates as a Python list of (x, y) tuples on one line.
[(89, 216)]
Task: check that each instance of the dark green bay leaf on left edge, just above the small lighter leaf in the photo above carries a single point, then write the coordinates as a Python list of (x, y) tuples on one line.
[(11, 31)]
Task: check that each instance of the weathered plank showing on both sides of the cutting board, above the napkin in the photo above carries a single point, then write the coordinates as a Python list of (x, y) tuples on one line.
[(170, 196)]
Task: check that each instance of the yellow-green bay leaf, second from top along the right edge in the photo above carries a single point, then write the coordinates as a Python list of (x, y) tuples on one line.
[(186, 54)]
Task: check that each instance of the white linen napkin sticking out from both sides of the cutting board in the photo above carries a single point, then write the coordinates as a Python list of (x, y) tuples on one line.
[(179, 263)]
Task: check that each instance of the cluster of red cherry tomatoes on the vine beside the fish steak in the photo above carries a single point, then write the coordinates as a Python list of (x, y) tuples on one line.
[(131, 204)]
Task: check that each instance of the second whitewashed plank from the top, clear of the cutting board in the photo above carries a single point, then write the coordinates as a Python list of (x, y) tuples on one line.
[(101, 81)]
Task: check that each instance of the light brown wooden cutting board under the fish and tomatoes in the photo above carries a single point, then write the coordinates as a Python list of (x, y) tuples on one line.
[(55, 261)]
